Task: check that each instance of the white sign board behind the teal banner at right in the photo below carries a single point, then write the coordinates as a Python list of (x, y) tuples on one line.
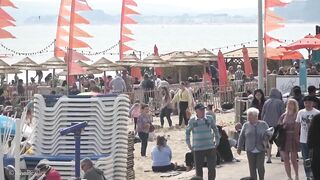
[(285, 83)]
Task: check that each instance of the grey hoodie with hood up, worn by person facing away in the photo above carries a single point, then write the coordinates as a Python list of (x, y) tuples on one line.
[(273, 108)]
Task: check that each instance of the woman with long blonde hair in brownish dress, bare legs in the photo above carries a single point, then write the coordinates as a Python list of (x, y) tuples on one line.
[(290, 145)]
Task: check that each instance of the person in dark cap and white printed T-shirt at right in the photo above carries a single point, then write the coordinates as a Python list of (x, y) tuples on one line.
[(304, 118)]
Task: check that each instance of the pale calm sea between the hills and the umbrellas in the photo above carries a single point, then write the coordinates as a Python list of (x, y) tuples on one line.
[(167, 37)]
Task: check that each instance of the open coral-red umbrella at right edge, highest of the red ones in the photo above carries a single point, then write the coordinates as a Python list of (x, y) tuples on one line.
[(309, 42)]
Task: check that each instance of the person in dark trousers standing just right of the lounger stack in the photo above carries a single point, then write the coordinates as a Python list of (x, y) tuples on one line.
[(143, 127)]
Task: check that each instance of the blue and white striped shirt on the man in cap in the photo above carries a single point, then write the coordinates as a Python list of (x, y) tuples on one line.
[(205, 134)]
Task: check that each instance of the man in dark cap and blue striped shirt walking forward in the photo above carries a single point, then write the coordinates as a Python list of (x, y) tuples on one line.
[(205, 140)]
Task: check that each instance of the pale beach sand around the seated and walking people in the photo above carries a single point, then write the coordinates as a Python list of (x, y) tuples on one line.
[(176, 141)]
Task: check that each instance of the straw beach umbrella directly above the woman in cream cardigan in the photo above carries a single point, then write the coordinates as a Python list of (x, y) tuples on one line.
[(179, 59)]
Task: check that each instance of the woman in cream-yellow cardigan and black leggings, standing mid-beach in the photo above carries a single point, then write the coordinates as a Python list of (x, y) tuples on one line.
[(185, 99)]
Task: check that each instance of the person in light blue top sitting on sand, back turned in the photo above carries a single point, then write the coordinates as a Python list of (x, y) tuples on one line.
[(161, 156)]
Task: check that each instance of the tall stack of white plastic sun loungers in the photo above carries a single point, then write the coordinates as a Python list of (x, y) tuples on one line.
[(104, 140)]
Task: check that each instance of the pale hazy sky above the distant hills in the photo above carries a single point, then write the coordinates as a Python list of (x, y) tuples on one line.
[(162, 7)]
